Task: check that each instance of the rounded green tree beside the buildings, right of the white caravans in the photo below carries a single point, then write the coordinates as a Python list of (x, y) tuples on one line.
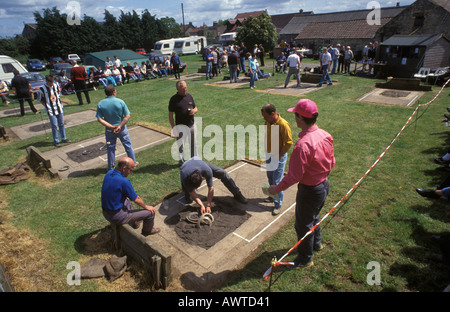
[(258, 30)]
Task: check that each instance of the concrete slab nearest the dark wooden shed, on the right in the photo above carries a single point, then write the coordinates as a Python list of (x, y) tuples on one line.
[(391, 97)]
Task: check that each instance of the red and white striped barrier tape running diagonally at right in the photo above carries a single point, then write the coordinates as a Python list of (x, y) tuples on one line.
[(275, 262)]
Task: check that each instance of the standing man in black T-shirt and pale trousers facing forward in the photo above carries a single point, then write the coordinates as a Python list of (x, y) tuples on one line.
[(183, 106)]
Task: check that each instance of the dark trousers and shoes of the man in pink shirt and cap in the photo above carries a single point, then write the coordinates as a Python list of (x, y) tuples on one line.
[(310, 200)]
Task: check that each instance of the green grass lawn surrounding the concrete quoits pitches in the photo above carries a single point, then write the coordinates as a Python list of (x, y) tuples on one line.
[(48, 223)]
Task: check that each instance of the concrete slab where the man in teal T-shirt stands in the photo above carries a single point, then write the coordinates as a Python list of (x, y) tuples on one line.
[(74, 159)]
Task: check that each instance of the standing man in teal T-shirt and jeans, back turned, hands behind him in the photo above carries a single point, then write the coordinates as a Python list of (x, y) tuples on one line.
[(113, 113)]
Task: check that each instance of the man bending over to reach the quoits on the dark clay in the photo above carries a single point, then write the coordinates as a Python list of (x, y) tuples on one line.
[(192, 173)]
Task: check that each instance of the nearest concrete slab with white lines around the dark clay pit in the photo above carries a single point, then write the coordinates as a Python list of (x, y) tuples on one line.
[(205, 269)]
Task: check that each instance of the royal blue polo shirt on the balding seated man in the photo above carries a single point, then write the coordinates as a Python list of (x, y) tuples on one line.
[(115, 189)]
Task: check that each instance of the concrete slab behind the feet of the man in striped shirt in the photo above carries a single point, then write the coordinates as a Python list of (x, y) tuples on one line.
[(43, 126)]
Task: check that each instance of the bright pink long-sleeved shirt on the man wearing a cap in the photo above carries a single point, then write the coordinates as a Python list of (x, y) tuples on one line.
[(311, 160)]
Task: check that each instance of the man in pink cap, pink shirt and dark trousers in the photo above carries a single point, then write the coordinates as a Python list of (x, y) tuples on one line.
[(310, 164)]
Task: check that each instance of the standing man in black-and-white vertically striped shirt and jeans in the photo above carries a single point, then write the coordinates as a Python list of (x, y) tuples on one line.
[(50, 97)]
